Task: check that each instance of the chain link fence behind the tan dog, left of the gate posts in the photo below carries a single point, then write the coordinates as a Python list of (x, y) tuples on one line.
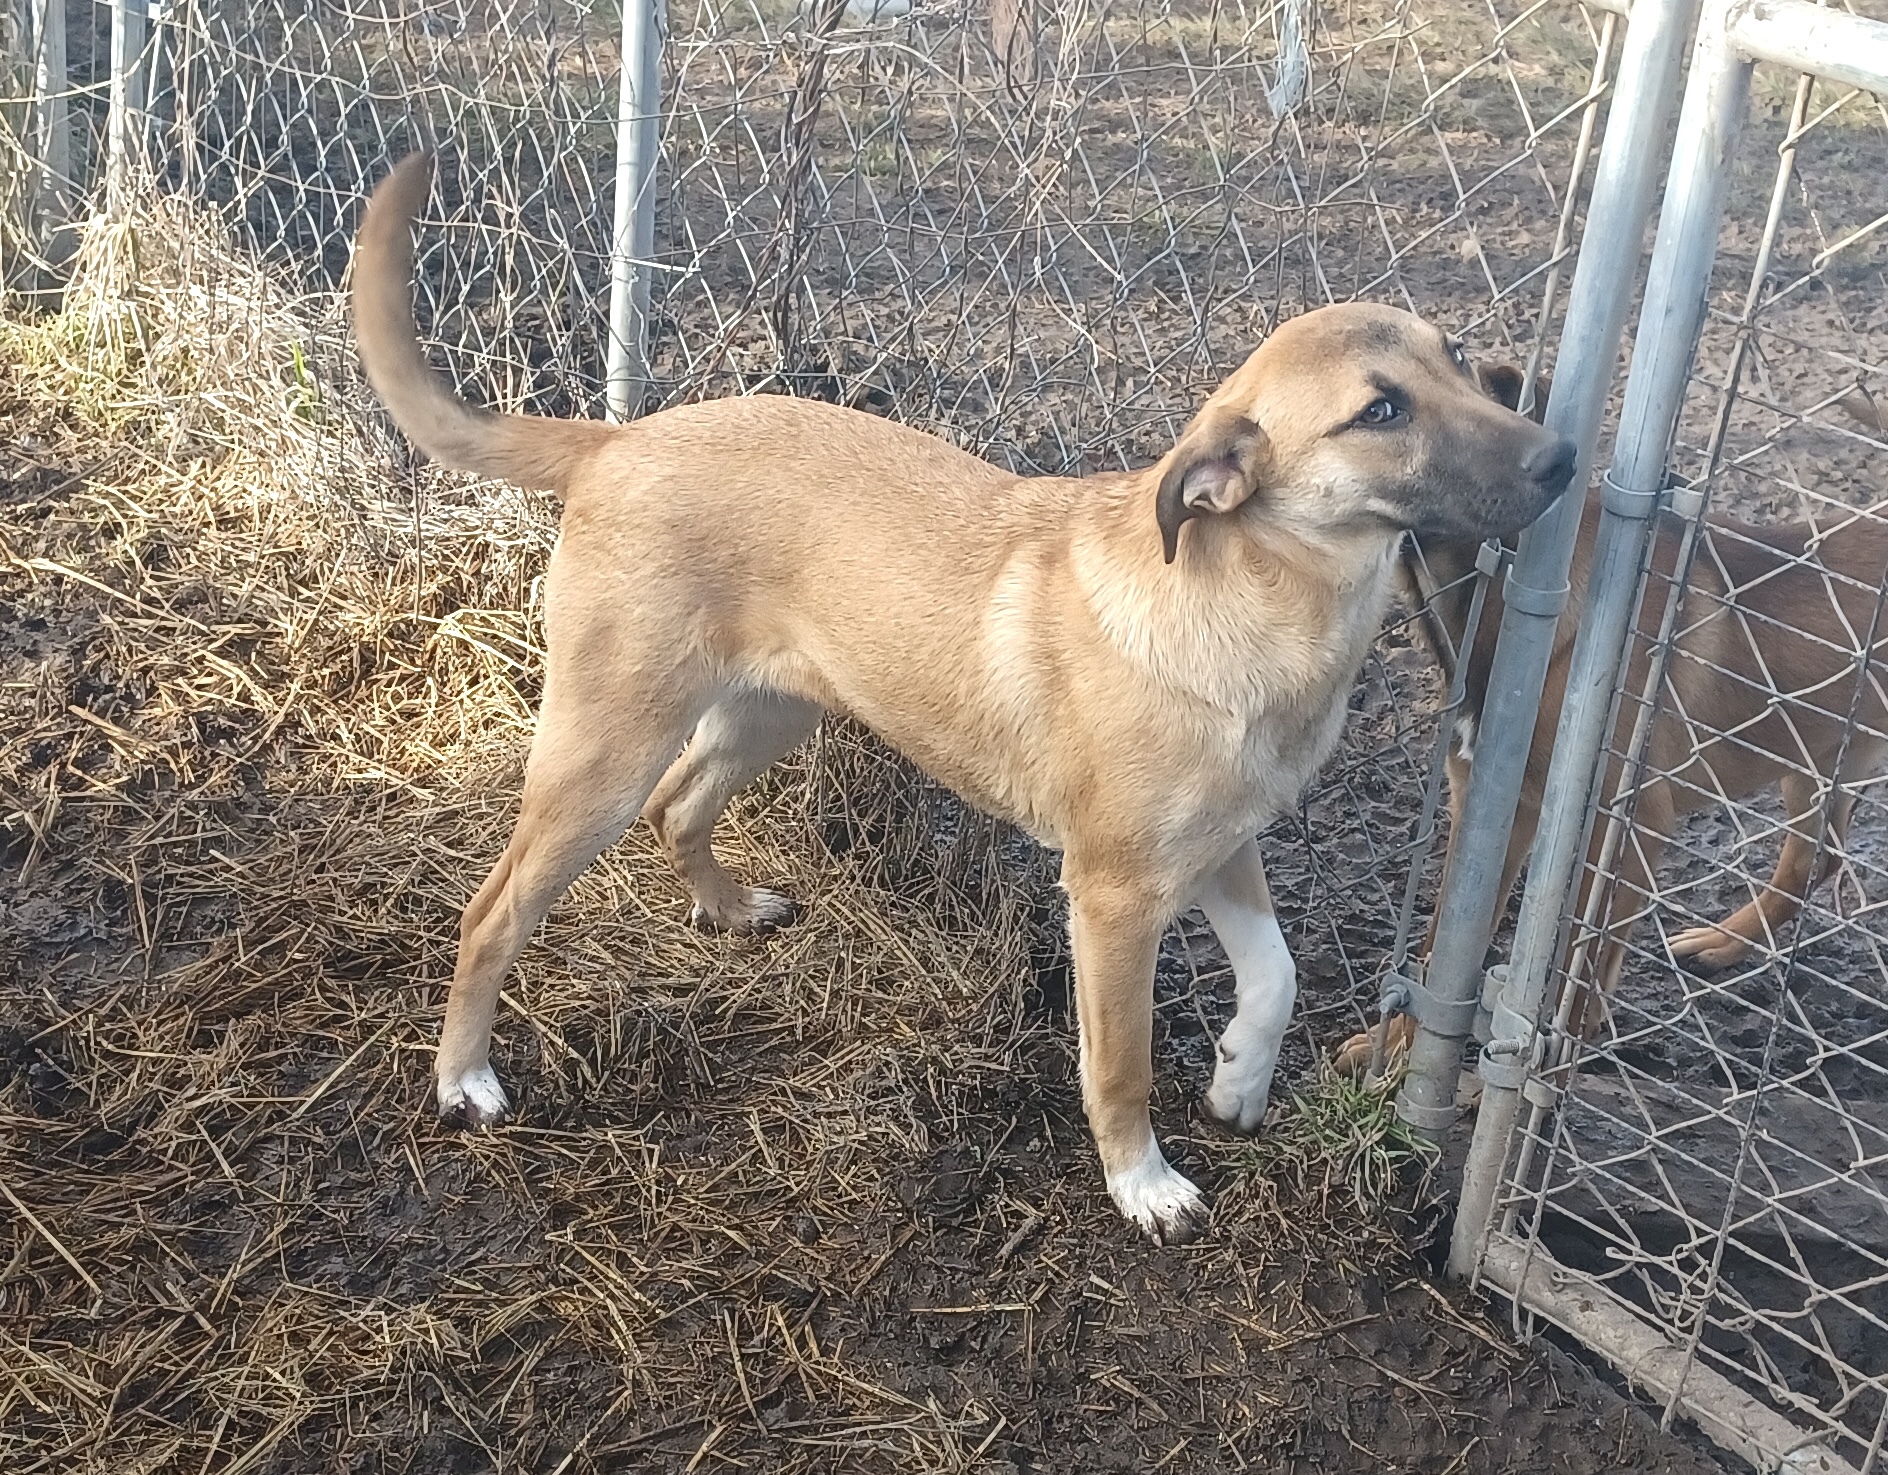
[(1045, 233)]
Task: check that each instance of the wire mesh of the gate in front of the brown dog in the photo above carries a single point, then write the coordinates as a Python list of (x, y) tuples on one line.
[(1719, 1159)]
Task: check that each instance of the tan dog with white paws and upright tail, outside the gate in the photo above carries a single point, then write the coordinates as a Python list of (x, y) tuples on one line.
[(1141, 670)]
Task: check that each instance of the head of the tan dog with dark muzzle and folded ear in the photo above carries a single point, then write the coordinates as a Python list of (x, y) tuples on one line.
[(1360, 416)]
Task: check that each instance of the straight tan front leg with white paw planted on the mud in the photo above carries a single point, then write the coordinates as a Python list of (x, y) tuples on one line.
[(1117, 932)]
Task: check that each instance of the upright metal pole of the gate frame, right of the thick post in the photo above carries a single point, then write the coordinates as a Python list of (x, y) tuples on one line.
[(1668, 335)]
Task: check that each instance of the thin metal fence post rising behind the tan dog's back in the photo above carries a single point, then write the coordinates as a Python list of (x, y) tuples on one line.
[(633, 241)]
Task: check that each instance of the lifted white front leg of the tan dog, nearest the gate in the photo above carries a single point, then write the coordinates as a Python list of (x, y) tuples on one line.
[(1239, 906)]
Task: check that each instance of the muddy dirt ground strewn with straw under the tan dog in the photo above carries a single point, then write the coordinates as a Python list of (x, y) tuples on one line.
[(813, 1202)]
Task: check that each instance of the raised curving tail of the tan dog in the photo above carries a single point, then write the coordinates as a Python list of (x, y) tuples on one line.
[(526, 450)]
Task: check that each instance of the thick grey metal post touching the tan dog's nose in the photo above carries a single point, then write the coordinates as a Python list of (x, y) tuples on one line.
[(1536, 590)]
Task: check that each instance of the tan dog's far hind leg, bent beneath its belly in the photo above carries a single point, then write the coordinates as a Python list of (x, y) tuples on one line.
[(737, 739)]
